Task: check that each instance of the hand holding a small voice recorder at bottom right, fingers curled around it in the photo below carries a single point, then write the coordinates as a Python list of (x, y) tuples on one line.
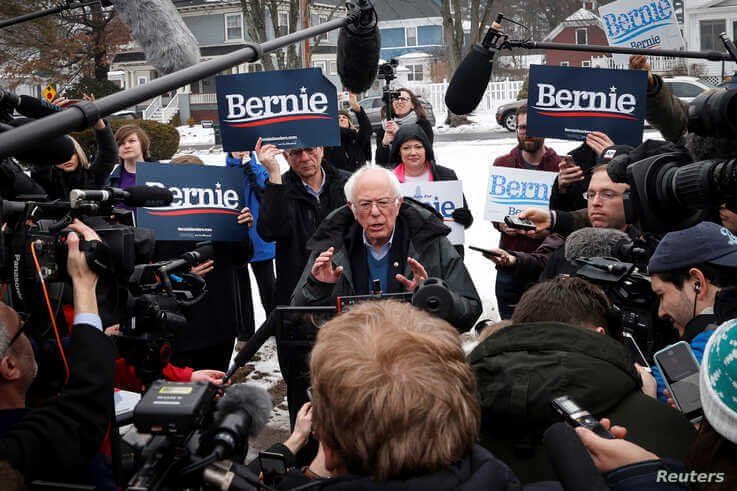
[(612, 454)]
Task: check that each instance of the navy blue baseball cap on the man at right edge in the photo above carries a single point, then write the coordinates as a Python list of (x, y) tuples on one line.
[(706, 242)]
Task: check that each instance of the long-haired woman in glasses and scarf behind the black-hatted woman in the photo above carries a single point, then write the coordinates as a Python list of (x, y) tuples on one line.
[(406, 109)]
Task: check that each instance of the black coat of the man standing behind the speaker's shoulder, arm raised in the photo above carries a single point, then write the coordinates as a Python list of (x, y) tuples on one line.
[(289, 217)]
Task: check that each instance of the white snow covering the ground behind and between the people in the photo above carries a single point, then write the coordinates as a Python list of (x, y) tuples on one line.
[(471, 161)]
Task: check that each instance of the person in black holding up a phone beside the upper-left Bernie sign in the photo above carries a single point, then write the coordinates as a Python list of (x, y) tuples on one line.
[(355, 144)]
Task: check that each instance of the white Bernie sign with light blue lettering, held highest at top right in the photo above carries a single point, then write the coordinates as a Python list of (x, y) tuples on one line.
[(646, 24)]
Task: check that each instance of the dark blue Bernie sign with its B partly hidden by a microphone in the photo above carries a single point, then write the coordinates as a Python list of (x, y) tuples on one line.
[(207, 201)]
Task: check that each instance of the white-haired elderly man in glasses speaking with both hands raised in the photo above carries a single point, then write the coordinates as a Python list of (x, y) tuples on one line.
[(377, 235)]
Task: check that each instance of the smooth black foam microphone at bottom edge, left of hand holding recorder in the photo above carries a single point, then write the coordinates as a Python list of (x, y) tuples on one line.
[(570, 460)]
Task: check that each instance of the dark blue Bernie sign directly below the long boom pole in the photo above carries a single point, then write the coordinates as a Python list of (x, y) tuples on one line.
[(288, 108)]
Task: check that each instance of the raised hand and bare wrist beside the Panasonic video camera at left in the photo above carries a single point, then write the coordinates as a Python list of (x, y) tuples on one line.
[(84, 280)]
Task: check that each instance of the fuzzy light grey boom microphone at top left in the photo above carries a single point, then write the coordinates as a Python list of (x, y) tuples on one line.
[(156, 25)]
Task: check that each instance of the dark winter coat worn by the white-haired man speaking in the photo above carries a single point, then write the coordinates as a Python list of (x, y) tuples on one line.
[(423, 234)]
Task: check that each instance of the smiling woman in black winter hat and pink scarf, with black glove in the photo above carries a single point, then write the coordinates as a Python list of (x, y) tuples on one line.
[(414, 161)]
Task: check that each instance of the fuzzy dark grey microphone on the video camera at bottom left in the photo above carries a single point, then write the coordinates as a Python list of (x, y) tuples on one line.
[(242, 411)]
